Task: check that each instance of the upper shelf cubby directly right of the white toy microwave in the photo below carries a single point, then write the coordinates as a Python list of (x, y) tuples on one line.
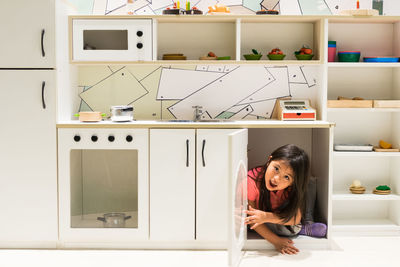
[(196, 39)]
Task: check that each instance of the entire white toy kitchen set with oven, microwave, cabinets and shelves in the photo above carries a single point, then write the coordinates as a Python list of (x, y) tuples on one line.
[(162, 144)]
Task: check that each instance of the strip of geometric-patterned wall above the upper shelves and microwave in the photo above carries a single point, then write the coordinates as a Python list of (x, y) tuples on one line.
[(286, 7)]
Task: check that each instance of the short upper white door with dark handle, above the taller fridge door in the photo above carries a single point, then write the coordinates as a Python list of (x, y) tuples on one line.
[(27, 34)]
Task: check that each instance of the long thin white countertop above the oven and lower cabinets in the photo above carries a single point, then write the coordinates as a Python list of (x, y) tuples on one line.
[(192, 124)]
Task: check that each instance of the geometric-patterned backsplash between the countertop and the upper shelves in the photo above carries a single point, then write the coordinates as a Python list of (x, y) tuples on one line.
[(168, 92)]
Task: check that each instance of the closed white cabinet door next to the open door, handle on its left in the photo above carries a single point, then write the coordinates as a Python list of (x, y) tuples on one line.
[(212, 182)]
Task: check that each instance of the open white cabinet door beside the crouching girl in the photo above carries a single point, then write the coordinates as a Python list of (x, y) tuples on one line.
[(237, 195)]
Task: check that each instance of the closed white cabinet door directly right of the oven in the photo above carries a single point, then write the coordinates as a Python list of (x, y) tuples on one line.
[(172, 184)]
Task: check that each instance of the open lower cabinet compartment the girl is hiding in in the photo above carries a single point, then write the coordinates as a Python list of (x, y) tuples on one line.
[(316, 142)]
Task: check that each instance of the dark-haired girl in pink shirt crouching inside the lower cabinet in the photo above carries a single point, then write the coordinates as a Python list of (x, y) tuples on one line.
[(276, 196)]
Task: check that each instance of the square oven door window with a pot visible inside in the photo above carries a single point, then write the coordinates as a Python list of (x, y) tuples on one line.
[(104, 188)]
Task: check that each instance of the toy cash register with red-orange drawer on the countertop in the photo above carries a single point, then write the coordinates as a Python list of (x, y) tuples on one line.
[(296, 110)]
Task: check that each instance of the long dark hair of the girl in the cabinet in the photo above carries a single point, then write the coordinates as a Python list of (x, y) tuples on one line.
[(298, 160)]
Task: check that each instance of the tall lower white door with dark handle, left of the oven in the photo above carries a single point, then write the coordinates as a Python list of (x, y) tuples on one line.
[(28, 167)]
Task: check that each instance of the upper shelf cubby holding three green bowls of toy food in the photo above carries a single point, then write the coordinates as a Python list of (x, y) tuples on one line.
[(288, 35)]
